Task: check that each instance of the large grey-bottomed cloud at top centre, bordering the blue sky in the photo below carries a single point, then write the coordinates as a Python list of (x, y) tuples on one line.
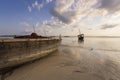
[(63, 11)]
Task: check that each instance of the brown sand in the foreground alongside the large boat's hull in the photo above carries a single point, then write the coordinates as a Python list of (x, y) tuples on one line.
[(54, 67)]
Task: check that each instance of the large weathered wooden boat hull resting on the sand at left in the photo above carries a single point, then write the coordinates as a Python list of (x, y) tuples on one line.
[(22, 49)]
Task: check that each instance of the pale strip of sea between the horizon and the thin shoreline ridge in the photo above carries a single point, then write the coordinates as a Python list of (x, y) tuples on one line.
[(111, 44)]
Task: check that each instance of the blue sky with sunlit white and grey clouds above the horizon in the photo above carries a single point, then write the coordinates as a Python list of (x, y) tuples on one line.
[(66, 17)]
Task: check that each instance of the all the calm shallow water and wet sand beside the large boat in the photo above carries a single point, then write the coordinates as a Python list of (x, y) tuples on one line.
[(93, 59)]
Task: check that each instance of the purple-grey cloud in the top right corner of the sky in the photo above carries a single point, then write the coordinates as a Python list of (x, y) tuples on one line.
[(109, 5)]
